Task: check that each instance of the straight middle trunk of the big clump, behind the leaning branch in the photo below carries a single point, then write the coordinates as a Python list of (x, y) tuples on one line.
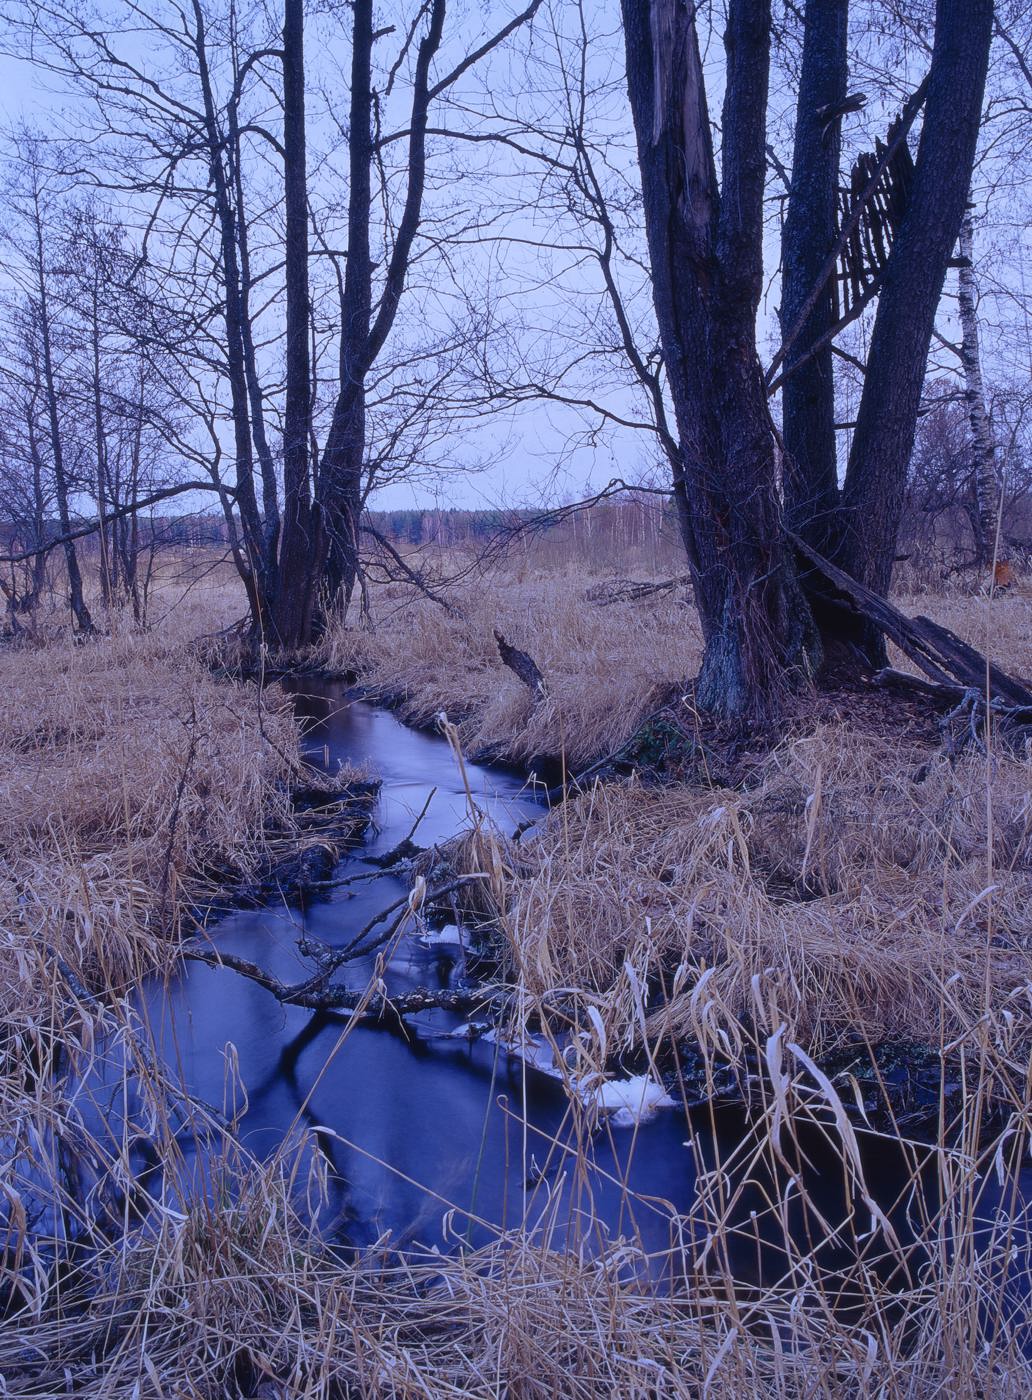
[(811, 482)]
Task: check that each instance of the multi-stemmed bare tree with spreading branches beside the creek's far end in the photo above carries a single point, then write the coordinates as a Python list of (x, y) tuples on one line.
[(207, 122)]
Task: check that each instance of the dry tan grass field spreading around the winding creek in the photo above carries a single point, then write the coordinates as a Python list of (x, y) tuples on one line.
[(802, 913)]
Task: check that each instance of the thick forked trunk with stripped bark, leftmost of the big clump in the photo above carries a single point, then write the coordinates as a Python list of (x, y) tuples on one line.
[(706, 265)]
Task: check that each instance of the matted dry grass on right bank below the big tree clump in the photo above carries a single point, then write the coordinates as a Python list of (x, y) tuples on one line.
[(855, 894)]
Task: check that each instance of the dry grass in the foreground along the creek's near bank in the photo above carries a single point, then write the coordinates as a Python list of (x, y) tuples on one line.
[(239, 1297)]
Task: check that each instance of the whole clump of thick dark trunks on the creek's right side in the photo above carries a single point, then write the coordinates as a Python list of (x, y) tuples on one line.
[(769, 617)]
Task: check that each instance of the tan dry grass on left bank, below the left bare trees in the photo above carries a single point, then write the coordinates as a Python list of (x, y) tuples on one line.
[(128, 772)]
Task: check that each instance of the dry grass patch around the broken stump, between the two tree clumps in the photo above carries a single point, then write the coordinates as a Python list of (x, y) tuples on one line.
[(606, 668)]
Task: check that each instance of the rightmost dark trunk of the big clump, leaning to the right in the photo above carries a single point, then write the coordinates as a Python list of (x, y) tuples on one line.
[(880, 457)]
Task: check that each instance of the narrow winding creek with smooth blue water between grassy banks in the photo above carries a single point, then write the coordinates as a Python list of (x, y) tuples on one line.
[(438, 1139)]
